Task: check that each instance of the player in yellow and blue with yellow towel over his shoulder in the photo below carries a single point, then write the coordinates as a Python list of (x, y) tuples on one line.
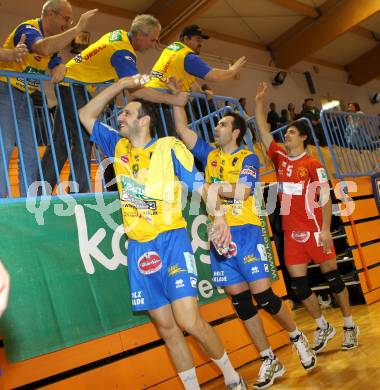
[(161, 265)]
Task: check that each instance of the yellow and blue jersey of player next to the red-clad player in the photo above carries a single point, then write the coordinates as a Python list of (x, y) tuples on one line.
[(239, 166)]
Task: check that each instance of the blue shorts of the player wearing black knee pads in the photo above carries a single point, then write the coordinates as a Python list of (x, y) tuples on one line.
[(246, 260)]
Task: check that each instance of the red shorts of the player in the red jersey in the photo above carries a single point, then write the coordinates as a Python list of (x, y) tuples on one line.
[(301, 248)]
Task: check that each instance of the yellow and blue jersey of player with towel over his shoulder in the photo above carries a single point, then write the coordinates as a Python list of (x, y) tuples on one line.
[(144, 218)]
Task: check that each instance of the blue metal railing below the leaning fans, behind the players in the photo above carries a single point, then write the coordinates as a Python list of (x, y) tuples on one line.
[(46, 141)]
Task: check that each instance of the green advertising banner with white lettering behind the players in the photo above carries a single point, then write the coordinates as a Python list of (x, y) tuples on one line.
[(67, 261)]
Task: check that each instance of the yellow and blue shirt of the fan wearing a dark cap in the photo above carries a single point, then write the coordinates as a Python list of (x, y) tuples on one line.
[(180, 61)]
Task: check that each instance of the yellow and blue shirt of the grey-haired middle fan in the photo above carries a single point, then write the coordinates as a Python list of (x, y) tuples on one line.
[(108, 59)]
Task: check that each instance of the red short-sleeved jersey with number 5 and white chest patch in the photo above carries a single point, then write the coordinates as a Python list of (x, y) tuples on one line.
[(299, 181)]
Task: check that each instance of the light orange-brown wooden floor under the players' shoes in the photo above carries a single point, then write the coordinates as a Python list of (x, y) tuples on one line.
[(357, 369)]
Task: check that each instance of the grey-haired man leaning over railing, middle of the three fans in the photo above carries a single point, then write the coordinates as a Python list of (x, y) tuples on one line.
[(112, 57)]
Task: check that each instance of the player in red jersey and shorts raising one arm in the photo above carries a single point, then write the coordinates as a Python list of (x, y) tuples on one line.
[(306, 216)]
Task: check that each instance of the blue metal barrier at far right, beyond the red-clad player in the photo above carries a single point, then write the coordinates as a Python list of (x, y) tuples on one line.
[(353, 141)]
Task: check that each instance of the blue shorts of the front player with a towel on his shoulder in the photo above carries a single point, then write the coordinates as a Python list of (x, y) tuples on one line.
[(161, 270)]
